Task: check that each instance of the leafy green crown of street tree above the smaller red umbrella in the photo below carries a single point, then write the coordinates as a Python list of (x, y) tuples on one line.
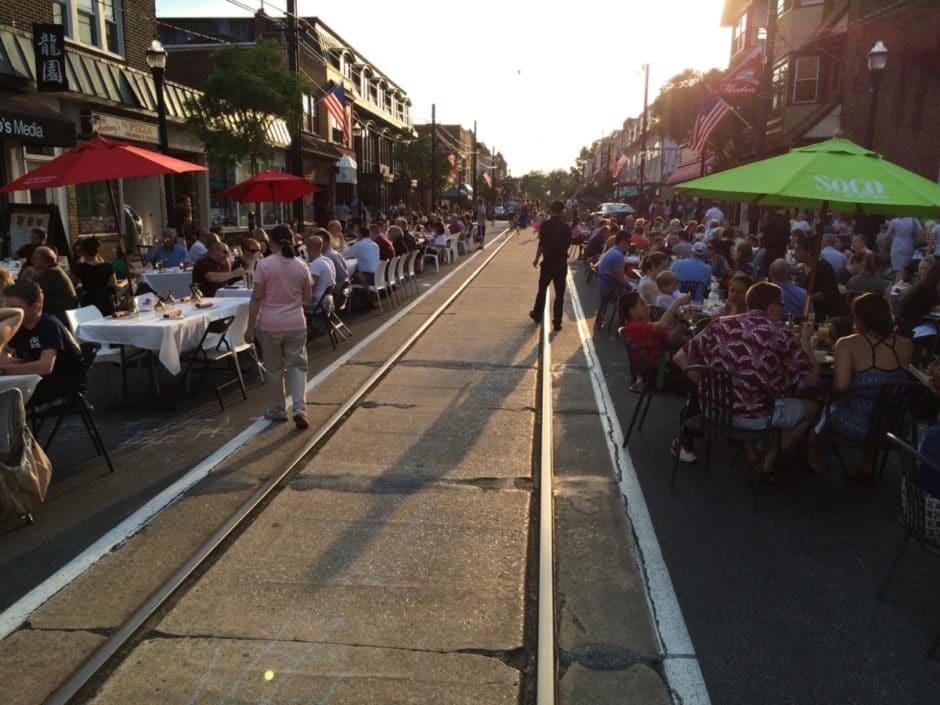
[(247, 89)]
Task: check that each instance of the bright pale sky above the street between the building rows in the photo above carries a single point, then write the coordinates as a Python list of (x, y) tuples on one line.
[(537, 79)]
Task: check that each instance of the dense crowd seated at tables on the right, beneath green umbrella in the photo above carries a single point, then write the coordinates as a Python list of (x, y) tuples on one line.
[(789, 303)]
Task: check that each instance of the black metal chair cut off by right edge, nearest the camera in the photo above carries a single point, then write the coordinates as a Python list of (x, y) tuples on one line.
[(920, 513)]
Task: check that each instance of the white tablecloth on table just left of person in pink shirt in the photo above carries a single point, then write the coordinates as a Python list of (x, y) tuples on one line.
[(169, 336)]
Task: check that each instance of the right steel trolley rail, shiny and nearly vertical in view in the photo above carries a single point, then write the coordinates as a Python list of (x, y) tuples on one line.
[(546, 655)]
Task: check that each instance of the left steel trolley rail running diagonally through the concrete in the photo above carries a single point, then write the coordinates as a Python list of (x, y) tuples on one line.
[(78, 680)]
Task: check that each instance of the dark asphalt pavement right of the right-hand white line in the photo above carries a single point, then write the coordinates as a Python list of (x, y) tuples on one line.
[(780, 599)]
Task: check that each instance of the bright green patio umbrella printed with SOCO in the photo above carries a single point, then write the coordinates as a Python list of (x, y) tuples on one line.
[(833, 175)]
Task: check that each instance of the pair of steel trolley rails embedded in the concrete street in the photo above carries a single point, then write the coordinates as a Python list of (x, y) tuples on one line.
[(538, 687)]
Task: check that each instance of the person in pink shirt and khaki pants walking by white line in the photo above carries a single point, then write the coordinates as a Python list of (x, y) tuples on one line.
[(282, 290)]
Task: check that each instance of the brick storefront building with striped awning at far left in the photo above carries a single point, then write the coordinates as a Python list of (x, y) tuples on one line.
[(111, 87)]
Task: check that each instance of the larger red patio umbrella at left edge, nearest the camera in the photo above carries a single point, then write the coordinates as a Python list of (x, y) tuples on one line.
[(100, 159)]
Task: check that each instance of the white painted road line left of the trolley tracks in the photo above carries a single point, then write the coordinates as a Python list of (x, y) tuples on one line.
[(19, 612)]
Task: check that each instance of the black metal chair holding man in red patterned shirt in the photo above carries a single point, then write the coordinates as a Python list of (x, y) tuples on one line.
[(715, 423)]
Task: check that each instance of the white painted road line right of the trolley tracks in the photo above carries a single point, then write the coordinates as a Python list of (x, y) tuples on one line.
[(680, 664)]
